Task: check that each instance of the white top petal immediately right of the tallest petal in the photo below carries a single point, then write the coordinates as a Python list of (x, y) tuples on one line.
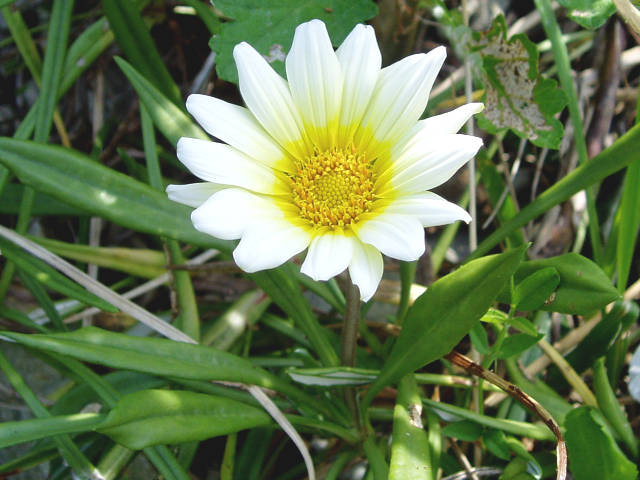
[(360, 59)]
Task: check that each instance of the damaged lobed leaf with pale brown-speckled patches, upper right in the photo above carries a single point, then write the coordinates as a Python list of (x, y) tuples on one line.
[(516, 96)]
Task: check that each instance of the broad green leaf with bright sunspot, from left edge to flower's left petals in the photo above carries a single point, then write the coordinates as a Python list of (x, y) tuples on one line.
[(70, 176)]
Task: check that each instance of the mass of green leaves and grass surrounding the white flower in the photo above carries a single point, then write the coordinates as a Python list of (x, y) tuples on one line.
[(273, 328)]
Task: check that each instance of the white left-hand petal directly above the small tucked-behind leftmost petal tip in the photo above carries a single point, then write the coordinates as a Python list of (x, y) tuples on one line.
[(220, 163)]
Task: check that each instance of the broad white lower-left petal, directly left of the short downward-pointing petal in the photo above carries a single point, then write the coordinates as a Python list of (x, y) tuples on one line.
[(270, 243)]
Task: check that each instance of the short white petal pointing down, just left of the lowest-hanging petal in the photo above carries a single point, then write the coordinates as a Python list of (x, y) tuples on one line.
[(328, 255)]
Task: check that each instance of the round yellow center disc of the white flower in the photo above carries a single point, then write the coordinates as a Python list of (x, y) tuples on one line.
[(333, 188)]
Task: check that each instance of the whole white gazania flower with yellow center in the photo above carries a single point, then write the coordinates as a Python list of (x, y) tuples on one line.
[(334, 159)]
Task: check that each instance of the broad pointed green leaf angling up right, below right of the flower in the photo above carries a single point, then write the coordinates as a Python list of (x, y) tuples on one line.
[(445, 313)]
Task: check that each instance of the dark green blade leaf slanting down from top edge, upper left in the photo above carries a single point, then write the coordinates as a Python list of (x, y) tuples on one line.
[(134, 39)]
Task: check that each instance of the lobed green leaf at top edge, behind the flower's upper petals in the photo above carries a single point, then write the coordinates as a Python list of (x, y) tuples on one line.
[(268, 26)]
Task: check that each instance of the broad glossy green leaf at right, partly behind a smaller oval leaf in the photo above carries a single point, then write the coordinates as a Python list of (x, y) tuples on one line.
[(583, 287)]
